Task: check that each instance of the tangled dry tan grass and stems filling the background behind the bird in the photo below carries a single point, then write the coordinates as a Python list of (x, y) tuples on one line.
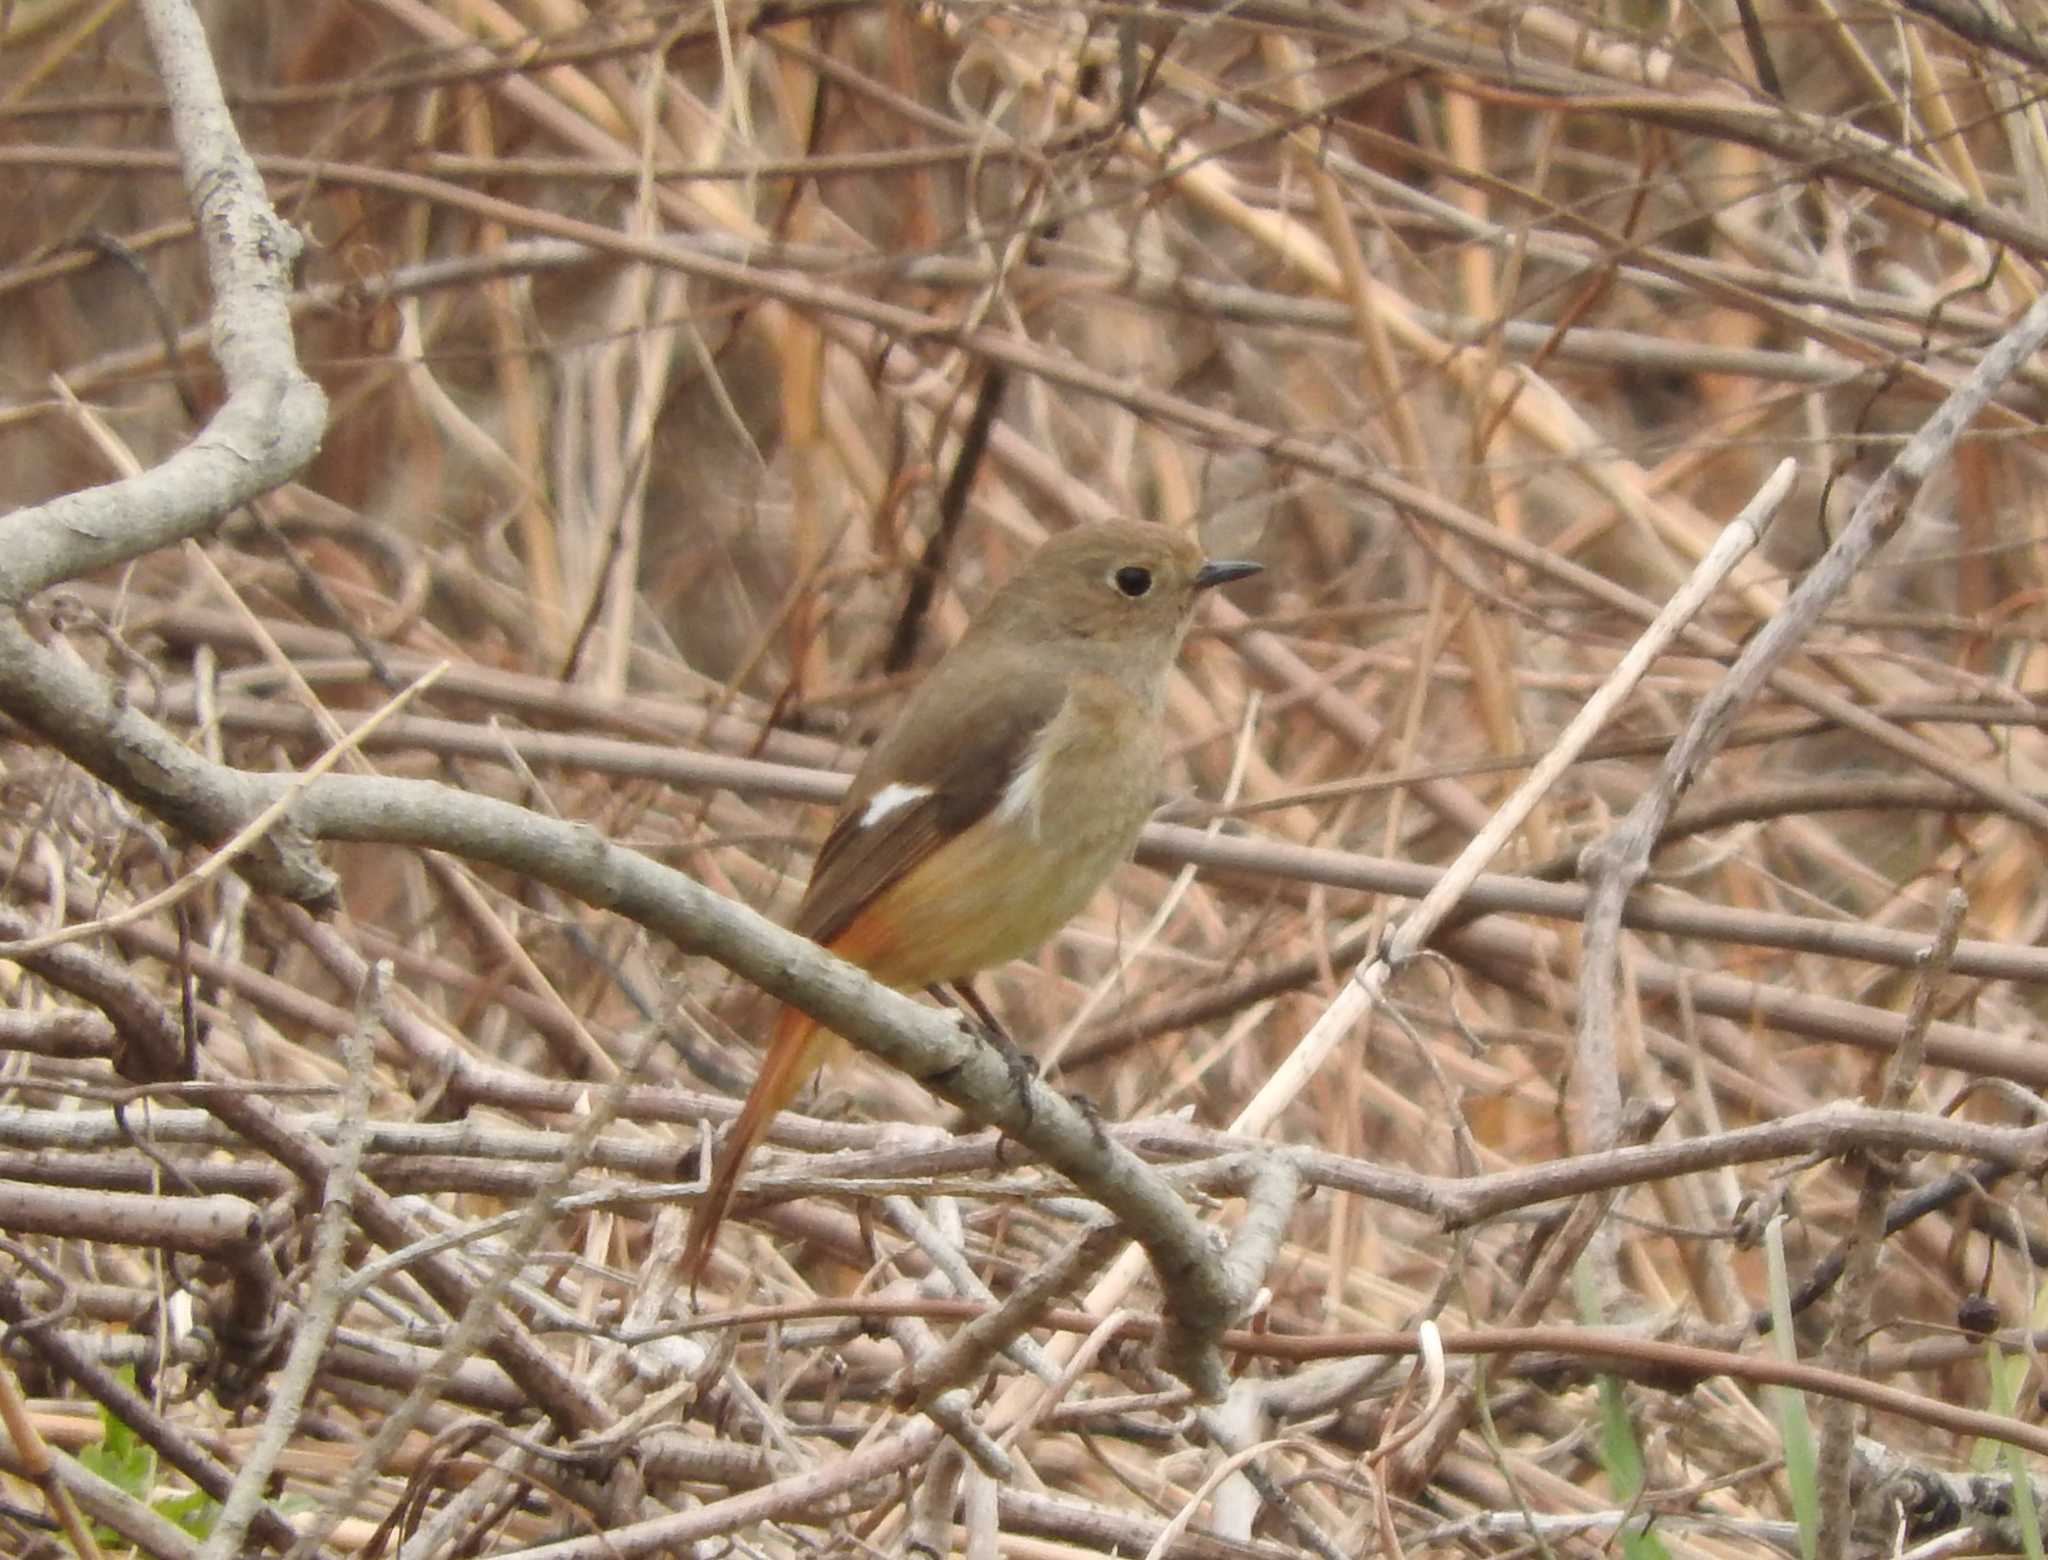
[(652, 339)]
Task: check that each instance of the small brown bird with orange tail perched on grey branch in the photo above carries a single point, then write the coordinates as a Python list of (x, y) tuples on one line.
[(1017, 777)]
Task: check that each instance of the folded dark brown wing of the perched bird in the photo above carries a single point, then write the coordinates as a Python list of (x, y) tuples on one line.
[(959, 771)]
